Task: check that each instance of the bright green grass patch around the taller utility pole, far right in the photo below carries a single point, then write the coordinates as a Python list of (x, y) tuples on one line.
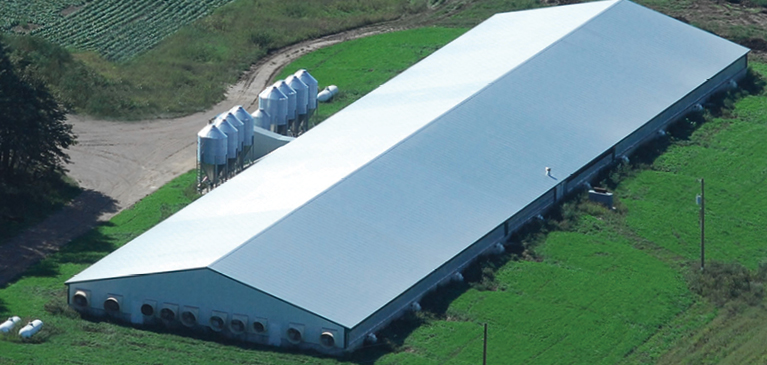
[(731, 155)]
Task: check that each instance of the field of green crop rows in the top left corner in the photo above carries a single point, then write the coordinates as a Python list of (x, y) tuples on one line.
[(117, 29)]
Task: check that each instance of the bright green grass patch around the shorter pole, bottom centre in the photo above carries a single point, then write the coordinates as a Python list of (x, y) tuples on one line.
[(592, 300)]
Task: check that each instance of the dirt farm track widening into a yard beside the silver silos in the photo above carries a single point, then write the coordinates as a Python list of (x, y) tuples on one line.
[(119, 163)]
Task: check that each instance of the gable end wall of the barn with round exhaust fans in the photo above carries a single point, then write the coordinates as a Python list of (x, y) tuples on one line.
[(205, 291)]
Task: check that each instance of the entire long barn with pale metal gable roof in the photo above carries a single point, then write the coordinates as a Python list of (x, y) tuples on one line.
[(329, 238)]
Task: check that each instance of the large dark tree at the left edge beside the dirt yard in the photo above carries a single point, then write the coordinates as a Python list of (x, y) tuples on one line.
[(33, 135)]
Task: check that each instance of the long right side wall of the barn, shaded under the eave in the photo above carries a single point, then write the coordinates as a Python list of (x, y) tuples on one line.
[(647, 132)]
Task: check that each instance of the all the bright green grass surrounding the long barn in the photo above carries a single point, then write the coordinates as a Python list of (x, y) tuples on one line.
[(599, 292)]
